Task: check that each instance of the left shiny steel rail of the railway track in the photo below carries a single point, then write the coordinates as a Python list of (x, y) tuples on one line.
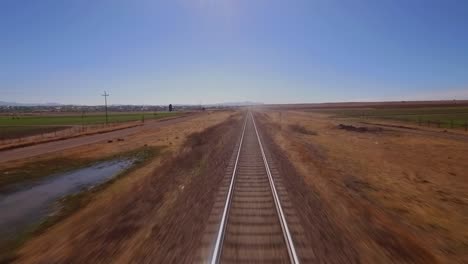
[(222, 227)]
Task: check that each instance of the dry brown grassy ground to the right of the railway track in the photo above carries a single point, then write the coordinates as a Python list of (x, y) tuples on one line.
[(375, 196)]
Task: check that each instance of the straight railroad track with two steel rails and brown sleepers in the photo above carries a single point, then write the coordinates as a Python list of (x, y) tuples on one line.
[(253, 225)]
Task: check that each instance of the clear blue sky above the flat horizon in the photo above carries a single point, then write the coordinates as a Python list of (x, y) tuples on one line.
[(209, 51)]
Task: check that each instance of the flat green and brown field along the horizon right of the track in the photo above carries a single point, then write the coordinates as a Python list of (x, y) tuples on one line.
[(444, 117)]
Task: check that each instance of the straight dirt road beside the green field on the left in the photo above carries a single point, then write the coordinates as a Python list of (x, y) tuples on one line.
[(40, 149)]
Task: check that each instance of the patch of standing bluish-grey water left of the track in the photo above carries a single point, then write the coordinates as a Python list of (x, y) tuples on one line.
[(22, 208)]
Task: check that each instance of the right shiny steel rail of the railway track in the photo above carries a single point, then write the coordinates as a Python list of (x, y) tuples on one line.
[(284, 225)]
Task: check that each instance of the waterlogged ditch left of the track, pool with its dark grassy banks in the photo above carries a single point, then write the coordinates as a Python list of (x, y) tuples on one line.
[(31, 205)]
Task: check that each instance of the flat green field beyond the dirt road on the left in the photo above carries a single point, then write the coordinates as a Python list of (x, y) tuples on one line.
[(28, 125)]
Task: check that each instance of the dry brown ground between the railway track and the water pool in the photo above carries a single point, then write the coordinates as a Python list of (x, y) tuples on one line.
[(153, 209)]
